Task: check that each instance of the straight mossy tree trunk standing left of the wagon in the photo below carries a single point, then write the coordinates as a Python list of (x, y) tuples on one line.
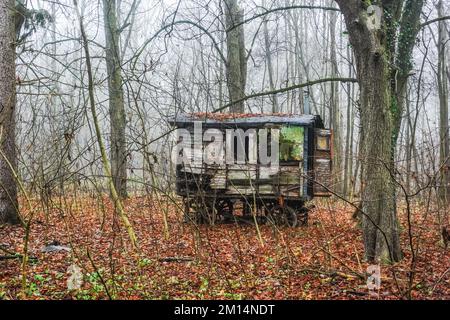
[(116, 99)]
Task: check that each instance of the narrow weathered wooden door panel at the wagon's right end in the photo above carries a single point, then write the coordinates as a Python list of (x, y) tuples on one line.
[(322, 163)]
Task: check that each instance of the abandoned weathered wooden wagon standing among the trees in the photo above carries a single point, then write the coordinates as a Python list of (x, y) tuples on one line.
[(251, 166)]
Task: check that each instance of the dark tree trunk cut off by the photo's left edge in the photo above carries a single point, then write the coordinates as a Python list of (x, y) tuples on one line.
[(8, 187)]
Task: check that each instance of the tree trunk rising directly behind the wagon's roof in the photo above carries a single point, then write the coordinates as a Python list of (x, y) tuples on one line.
[(236, 55)]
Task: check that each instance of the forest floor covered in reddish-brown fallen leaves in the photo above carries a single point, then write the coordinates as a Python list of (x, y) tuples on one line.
[(321, 261)]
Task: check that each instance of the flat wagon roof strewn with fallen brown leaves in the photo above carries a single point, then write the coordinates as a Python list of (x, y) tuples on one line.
[(247, 119)]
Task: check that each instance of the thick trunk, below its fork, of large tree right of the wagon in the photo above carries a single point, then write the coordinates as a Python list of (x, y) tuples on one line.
[(378, 193)]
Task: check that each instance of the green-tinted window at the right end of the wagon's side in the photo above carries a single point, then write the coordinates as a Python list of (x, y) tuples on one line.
[(291, 143)]
